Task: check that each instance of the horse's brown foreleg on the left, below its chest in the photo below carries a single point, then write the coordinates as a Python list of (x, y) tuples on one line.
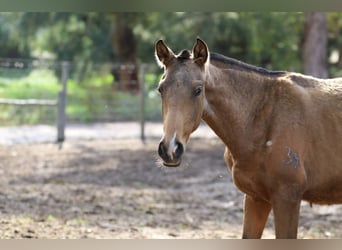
[(256, 212)]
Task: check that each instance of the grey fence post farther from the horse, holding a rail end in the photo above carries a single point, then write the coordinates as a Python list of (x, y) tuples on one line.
[(61, 112)]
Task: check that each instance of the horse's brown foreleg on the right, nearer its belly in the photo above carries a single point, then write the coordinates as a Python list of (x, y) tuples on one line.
[(286, 216)]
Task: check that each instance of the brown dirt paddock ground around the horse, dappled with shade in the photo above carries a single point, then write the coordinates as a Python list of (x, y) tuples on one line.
[(115, 189)]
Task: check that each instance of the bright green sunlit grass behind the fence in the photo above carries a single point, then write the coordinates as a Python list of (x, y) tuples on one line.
[(89, 100)]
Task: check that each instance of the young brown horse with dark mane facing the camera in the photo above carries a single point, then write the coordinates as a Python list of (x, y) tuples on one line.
[(282, 131)]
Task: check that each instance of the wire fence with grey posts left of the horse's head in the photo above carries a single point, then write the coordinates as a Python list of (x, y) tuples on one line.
[(47, 91)]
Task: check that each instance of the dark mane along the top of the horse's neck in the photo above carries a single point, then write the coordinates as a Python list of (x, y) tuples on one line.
[(236, 64)]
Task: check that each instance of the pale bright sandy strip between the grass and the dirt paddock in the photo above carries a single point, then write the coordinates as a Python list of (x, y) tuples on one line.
[(75, 132)]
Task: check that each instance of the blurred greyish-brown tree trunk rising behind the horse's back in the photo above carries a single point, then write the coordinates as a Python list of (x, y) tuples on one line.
[(315, 45)]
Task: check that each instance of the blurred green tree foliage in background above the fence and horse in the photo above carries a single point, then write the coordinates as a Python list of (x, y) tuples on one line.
[(266, 39)]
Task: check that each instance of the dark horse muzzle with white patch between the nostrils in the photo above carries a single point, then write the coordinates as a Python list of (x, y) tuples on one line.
[(171, 154)]
